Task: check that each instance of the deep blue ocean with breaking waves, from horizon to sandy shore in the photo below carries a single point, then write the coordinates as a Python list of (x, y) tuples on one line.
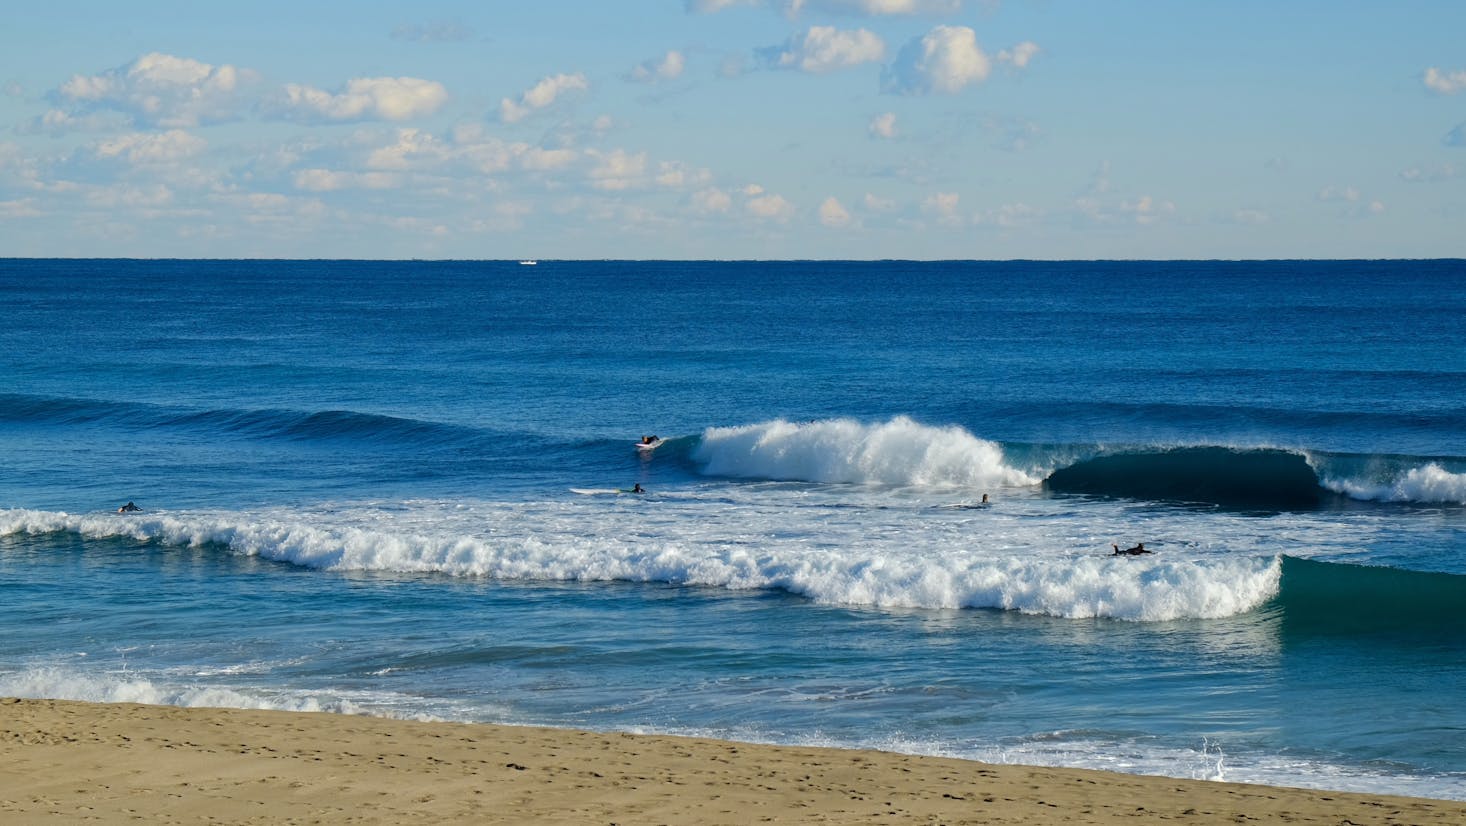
[(356, 486)]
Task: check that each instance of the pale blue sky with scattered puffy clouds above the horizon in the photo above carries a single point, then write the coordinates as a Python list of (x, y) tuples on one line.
[(735, 130)]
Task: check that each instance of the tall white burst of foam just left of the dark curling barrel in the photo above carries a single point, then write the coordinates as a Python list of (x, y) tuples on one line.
[(898, 453)]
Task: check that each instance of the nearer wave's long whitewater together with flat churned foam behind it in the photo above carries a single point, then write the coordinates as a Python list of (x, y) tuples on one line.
[(867, 558)]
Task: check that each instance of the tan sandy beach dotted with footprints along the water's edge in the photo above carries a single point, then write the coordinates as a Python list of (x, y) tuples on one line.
[(112, 764)]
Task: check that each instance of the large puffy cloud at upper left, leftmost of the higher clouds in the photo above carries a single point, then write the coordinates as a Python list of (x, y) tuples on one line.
[(163, 90)]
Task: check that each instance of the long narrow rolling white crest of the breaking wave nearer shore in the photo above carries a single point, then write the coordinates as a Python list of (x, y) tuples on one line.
[(1097, 586)]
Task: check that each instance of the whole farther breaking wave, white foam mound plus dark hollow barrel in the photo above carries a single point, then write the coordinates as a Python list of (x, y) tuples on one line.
[(904, 453)]
